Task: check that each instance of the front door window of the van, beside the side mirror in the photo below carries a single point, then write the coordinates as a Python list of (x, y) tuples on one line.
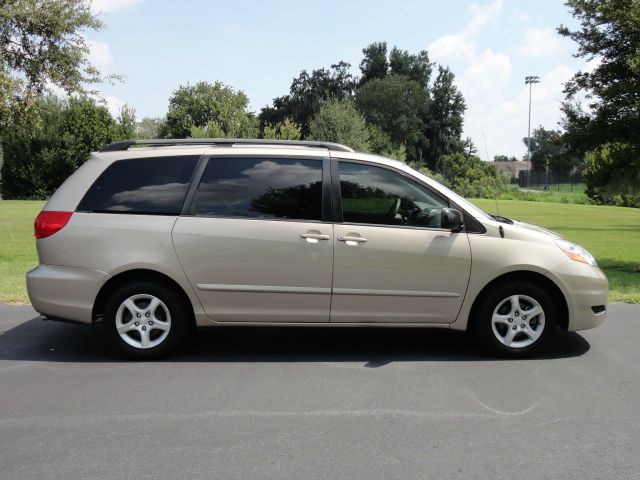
[(381, 196)]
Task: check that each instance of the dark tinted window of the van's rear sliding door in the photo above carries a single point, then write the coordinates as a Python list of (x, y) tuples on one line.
[(262, 188)]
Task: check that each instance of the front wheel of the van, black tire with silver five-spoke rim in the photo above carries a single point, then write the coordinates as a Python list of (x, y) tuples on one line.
[(482, 326)]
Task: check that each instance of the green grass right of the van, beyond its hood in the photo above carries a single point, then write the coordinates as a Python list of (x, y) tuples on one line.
[(611, 234)]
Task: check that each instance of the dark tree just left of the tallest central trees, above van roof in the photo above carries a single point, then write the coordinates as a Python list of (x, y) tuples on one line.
[(306, 95)]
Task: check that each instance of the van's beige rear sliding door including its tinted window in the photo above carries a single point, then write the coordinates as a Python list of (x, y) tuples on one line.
[(256, 249)]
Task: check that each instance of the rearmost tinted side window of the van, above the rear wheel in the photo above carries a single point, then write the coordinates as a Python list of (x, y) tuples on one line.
[(141, 185)]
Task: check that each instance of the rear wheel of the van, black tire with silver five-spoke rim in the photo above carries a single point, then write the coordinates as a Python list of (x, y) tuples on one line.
[(169, 337)]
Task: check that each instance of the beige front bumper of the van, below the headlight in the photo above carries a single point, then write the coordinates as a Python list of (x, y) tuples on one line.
[(586, 289)]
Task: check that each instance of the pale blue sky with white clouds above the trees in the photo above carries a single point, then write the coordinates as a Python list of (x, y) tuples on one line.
[(259, 47)]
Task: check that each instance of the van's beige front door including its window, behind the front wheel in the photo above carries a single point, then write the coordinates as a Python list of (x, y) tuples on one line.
[(393, 261)]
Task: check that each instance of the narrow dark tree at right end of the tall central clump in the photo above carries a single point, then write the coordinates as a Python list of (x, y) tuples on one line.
[(445, 118)]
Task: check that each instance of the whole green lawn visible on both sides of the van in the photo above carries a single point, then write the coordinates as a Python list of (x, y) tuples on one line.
[(611, 234)]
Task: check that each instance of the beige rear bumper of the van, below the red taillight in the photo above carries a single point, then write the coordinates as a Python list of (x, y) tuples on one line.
[(65, 293)]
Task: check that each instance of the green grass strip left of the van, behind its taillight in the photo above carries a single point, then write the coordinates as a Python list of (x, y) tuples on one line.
[(17, 247)]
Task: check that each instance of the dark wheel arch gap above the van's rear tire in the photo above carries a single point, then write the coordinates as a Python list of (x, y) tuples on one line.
[(140, 274)]
